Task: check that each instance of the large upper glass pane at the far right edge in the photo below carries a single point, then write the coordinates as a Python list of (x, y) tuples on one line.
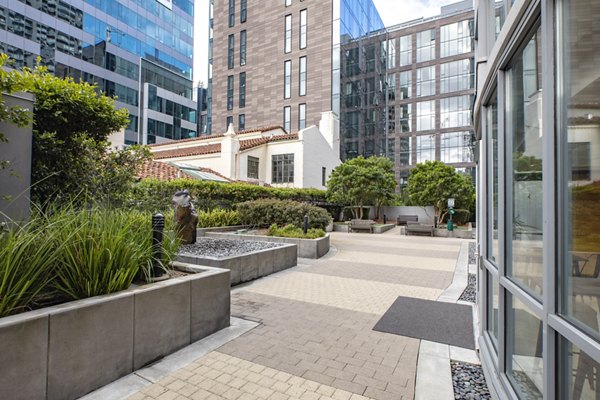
[(580, 136)]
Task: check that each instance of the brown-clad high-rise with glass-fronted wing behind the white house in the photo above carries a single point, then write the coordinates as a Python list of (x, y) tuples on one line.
[(404, 91)]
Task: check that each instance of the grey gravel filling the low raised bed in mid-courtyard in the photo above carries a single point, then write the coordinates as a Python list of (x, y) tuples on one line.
[(224, 247)]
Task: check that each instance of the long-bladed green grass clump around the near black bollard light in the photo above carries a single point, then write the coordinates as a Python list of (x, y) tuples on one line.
[(104, 251)]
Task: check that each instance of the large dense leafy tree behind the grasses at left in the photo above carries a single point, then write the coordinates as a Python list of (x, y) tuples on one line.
[(71, 123)]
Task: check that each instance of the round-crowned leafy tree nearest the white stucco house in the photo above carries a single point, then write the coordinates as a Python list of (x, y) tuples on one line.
[(362, 181)]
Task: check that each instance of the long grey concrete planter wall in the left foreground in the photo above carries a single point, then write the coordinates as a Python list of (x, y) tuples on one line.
[(69, 350)]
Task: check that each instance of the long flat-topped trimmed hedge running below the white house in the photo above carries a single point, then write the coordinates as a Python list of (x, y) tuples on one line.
[(154, 195)]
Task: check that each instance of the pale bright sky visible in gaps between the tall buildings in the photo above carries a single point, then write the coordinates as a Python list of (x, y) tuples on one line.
[(391, 11)]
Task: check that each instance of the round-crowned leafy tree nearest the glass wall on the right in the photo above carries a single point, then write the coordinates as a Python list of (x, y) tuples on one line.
[(433, 183)]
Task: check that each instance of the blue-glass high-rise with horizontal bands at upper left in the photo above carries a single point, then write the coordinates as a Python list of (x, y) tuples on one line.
[(138, 50)]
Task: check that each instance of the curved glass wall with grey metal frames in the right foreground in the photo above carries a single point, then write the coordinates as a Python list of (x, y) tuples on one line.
[(538, 121)]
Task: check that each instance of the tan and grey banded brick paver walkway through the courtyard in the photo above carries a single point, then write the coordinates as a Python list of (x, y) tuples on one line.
[(315, 338)]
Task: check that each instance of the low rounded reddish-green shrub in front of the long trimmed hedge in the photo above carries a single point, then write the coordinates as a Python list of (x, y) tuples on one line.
[(266, 212)]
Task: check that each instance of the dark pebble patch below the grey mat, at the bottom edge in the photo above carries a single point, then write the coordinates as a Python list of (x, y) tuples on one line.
[(468, 381)]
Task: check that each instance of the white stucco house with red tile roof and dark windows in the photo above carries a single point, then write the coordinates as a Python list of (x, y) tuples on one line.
[(267, 155)]
